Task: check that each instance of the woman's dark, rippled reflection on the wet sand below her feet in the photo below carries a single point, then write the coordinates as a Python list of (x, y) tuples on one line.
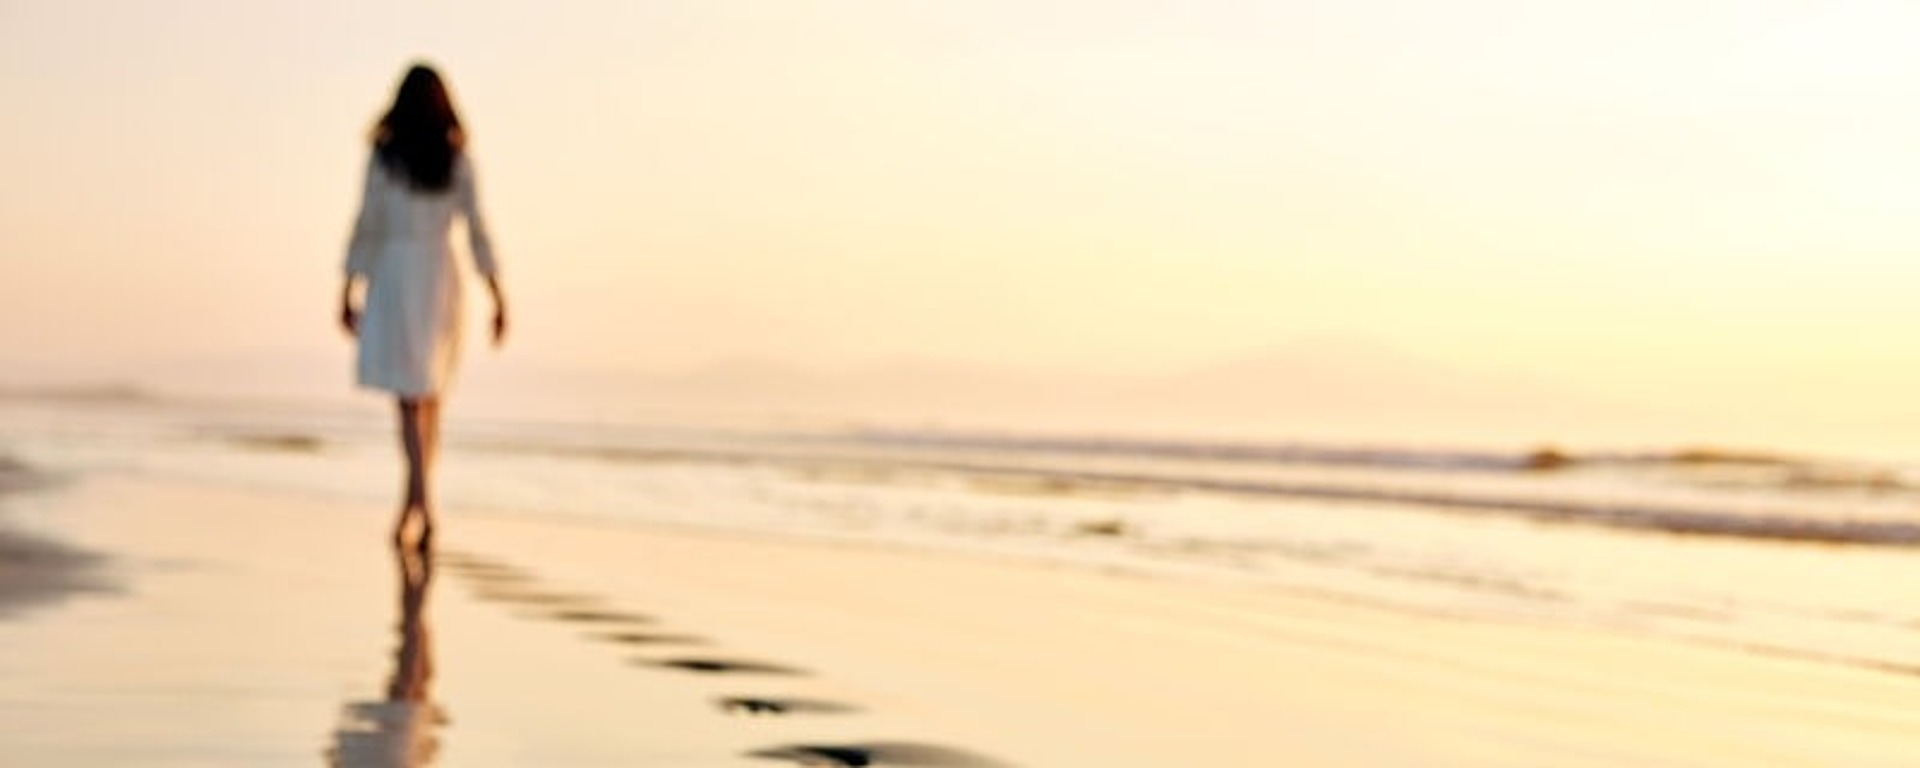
[(402, 729)]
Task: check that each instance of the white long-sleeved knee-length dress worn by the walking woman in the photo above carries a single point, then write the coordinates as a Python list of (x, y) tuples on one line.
[(410, 329)]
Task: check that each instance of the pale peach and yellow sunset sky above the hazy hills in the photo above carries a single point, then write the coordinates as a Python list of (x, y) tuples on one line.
[(1681, 204)]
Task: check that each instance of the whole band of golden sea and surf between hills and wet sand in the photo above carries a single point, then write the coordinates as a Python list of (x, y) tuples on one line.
[(1760, 552)]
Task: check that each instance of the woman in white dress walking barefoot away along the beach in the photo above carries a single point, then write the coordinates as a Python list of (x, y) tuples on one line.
[(402, 266)]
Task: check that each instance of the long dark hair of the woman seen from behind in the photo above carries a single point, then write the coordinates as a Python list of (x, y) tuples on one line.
[(420, 135)]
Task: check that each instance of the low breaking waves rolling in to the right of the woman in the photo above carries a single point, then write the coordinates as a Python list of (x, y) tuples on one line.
[(1692, 491)]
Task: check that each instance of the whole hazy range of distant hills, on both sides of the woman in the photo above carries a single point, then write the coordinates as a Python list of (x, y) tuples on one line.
[(1341, 389)]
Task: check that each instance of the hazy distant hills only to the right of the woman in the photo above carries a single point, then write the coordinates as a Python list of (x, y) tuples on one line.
[(1312, 389)]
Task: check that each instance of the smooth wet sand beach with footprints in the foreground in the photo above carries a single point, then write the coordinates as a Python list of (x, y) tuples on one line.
[(260, 629)]
